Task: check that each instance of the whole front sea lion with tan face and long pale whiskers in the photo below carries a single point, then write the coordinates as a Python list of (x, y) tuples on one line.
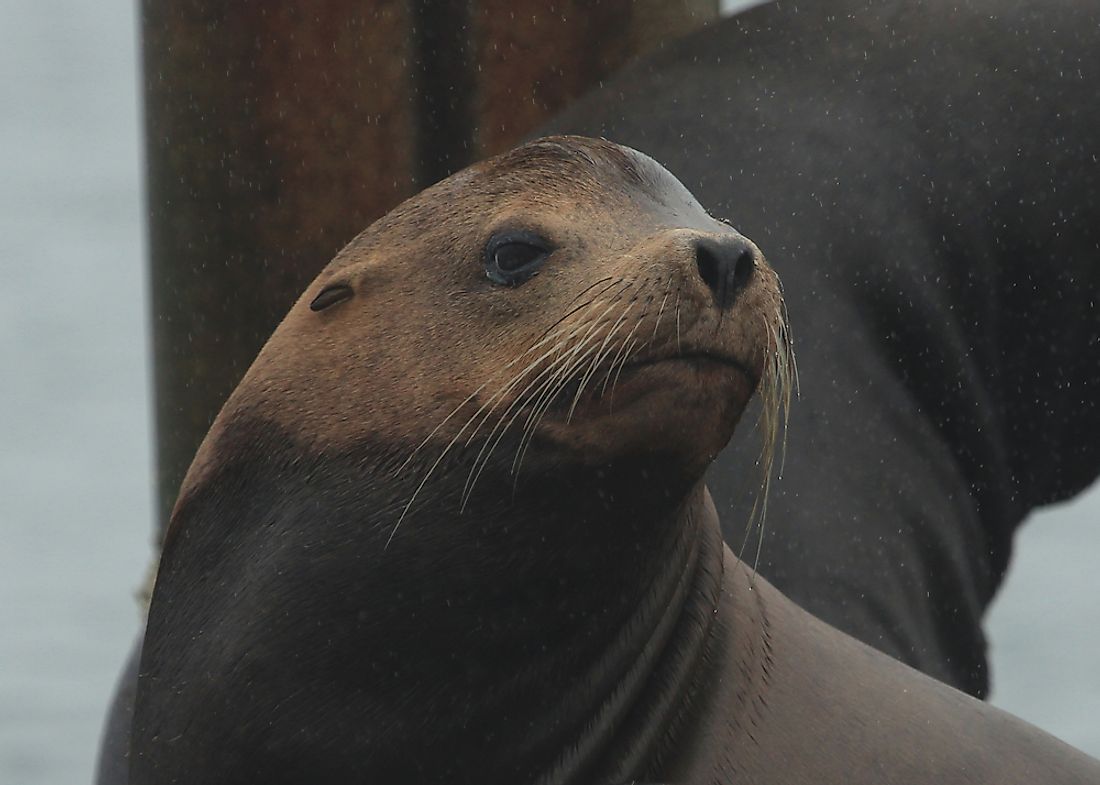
[(453, 526)]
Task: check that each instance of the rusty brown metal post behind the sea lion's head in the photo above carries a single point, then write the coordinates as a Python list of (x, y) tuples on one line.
[(277, 131)]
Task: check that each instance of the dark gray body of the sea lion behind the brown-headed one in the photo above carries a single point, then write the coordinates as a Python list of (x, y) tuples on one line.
[(925, 178)]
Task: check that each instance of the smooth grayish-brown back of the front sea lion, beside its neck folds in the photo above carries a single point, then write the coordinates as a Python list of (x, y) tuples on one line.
[(790, 700)]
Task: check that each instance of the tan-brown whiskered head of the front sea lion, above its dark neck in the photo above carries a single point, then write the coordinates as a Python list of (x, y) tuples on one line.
[(567, 304)]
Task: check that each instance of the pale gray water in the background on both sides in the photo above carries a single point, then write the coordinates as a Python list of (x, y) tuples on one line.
[(75, 443)]
